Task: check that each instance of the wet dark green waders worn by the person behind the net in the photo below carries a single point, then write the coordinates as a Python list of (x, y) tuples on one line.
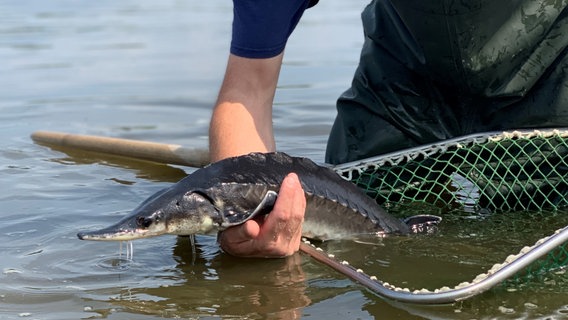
[(436, 69)]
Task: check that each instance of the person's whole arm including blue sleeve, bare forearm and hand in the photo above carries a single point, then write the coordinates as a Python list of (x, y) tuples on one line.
[(242, 121)]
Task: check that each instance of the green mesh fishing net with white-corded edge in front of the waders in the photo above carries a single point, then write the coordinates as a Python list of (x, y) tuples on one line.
[(477, 174)]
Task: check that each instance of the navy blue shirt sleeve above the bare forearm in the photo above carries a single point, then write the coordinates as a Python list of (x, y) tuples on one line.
[(262, 27)]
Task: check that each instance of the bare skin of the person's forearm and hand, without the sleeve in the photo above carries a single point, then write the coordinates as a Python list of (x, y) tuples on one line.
[(242, 123)]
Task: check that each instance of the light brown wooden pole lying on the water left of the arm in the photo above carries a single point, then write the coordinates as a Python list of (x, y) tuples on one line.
[(151, 151)]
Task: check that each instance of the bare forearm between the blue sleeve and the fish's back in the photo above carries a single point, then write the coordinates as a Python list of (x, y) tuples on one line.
[(242, 119)]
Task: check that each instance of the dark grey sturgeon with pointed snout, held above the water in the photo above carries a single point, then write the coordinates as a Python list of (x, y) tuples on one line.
[(231, 191)]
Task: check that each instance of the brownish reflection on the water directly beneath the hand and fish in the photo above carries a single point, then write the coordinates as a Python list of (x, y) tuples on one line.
[(218, 284)]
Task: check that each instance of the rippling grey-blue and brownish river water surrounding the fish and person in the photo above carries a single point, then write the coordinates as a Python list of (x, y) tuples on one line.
[(150, 70)]
